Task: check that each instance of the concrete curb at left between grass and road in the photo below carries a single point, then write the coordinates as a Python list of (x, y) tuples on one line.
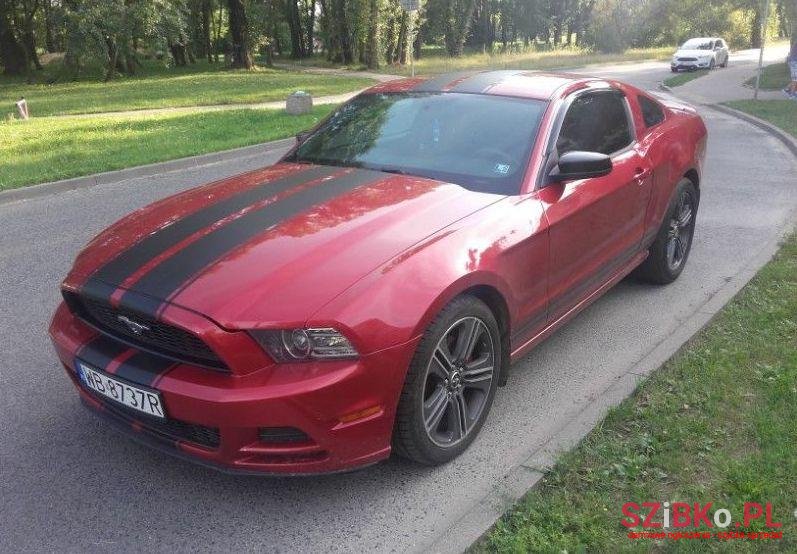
[(120, 175)]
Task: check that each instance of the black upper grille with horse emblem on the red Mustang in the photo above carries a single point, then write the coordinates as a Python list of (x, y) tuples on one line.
[(155, 336)]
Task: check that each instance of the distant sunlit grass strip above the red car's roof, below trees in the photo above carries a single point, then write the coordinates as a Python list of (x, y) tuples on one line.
[(434, 60)]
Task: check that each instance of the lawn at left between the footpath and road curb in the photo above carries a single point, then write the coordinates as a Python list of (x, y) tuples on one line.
[(47, 149)]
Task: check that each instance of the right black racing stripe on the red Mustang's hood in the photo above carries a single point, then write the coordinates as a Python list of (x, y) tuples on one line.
[(172, 274)]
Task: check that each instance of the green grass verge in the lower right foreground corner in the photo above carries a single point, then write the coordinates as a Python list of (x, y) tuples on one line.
[(715, 424)]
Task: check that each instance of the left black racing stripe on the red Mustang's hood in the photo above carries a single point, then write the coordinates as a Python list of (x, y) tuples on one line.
[(128, 261)]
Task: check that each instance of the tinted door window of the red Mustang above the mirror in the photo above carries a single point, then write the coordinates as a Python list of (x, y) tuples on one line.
[(596, 122)]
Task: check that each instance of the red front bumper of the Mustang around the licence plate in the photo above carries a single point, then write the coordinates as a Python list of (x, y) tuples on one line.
[(342, 412)]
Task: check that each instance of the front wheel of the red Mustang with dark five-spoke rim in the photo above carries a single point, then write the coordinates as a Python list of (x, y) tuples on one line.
[(424, 388)]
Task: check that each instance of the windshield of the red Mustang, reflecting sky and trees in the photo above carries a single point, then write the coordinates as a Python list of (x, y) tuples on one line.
[(477, 141)]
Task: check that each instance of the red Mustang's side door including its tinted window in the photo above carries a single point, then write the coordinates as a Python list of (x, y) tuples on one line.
[(596, 224)]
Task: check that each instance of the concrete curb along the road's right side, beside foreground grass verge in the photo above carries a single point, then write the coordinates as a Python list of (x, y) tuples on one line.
[(480, 518)]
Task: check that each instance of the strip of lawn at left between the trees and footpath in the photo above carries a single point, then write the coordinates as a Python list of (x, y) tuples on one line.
[(159, 87)]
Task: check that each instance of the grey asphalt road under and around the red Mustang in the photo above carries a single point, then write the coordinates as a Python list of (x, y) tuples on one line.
[(68, 483)]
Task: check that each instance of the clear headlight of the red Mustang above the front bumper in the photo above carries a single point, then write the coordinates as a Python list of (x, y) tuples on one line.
[(297, 345)]
